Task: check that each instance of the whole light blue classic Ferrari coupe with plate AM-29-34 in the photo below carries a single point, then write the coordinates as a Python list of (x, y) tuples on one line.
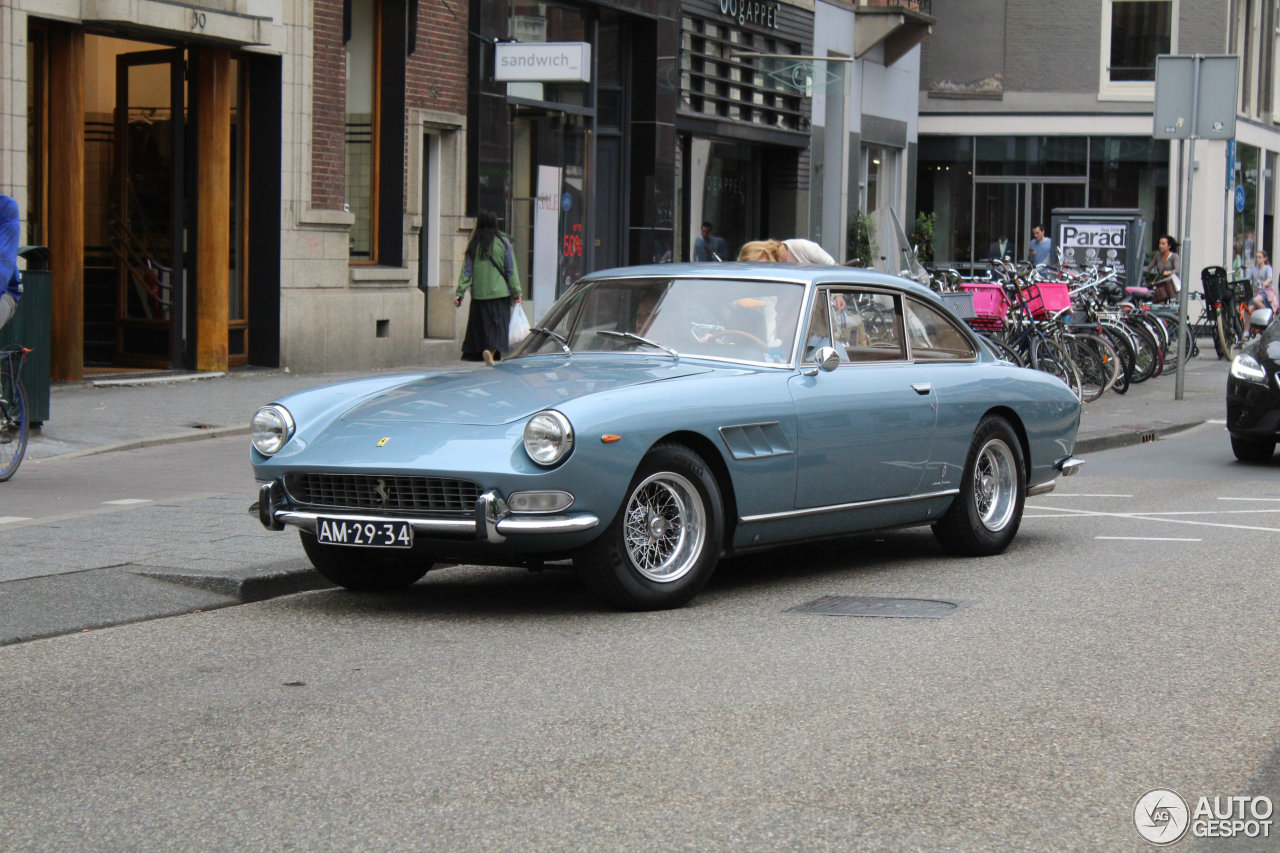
[(662, 417)]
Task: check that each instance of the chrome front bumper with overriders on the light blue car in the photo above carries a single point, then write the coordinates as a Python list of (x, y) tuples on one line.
[(492, 522)]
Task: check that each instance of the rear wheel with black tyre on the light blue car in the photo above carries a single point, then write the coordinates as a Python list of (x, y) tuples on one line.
[(985, 518)]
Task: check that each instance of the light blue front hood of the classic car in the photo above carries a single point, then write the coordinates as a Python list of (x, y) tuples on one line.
[(509, 391)]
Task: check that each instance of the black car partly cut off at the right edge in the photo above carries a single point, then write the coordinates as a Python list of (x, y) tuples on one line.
[(1254, 398)]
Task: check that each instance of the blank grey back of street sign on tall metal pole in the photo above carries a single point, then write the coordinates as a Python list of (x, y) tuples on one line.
[(1195, 101)]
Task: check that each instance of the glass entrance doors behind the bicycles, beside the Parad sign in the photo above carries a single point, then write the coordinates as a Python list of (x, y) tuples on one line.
[(1005, 212)]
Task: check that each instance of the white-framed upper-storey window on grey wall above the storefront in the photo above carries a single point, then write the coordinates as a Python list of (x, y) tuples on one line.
[(1133, 34)]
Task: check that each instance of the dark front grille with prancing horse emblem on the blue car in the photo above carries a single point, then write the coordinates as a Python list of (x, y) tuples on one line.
[(385, 494)]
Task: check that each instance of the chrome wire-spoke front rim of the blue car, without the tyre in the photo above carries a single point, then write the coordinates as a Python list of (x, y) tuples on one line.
[(665, 527)]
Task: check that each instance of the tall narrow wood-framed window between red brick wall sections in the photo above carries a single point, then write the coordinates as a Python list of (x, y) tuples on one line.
[(362, 138)]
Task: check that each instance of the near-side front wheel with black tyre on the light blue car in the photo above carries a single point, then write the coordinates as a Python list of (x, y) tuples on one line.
[(664, 545)]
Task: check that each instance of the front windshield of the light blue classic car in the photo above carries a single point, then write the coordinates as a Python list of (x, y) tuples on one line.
[(738, 321)]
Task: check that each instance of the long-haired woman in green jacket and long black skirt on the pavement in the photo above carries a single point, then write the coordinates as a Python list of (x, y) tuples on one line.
[(490, 271)]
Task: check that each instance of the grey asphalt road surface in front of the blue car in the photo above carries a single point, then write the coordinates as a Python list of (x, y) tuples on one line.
[(1126, 642)]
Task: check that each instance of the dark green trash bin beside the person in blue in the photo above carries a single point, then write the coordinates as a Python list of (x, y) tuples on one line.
[(33, 327)]
